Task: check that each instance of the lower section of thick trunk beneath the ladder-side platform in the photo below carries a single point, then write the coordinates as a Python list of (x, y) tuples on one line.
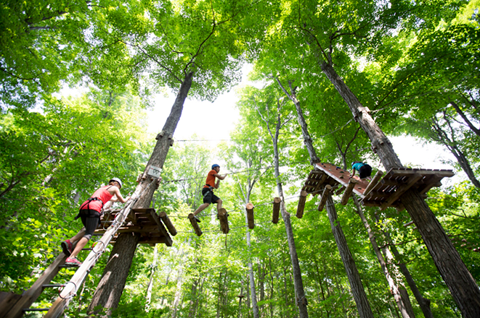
[(110, 287)]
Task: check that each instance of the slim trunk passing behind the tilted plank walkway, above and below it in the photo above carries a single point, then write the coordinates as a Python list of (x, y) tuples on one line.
[(353, 276)]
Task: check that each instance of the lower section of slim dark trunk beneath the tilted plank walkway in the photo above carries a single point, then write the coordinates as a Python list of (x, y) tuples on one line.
[(356, 285)]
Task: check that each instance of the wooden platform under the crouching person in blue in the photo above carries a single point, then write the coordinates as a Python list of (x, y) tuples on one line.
[(383, 192)]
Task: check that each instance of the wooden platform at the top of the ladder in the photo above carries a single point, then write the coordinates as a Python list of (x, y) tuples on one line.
[(145, 222)]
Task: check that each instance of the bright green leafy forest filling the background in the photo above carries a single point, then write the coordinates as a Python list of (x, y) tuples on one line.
[(413, 64)]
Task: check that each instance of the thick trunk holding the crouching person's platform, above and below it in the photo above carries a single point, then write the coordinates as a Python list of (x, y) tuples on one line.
[(462, 286)]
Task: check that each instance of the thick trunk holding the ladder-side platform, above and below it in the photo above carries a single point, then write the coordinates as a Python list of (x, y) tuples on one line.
[(110, 288)]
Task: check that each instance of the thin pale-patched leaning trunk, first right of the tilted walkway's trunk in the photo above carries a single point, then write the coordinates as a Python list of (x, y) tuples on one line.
[(394, 289)]
